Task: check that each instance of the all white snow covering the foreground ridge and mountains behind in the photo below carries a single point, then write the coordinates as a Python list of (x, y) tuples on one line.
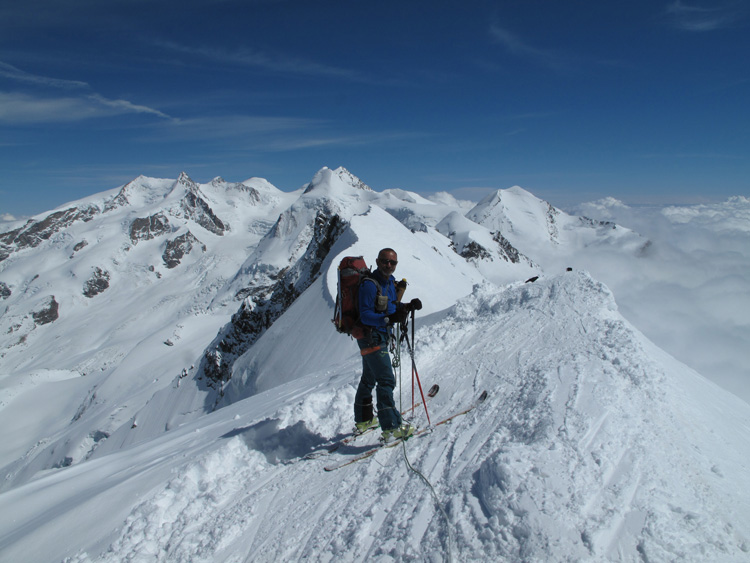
[(594, 444)]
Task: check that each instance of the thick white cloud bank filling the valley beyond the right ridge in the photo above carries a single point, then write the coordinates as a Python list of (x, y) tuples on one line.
[(690, 293)]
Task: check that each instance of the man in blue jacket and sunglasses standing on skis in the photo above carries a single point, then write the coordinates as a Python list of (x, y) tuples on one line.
[(379, 311)]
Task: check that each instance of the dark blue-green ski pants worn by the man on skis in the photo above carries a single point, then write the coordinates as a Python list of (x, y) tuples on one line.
[(377, 371)]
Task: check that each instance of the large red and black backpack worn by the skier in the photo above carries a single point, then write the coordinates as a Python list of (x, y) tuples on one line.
[(353, 271)]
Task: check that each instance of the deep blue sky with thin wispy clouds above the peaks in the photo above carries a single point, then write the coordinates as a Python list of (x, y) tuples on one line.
[(645, 101)]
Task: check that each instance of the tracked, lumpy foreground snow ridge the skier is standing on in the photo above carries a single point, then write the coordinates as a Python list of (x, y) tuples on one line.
[(593, 445)]
